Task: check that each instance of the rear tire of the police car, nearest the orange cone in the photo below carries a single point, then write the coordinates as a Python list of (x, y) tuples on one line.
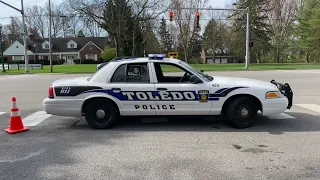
[(107, 111)]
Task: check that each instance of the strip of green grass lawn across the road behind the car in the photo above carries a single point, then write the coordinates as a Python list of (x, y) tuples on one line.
[(91, 68)]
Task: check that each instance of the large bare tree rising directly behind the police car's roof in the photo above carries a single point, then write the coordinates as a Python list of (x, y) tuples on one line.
[(110, 15)]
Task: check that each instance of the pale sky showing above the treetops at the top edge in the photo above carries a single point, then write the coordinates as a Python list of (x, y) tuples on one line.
[(6, 11)]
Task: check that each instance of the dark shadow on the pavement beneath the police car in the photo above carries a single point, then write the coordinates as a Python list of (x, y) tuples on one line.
[(301, 122)]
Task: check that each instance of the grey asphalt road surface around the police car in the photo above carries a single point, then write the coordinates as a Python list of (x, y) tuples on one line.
[(282, 147)]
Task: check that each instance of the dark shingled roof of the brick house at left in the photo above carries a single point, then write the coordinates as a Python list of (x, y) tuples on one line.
[(60, 44)]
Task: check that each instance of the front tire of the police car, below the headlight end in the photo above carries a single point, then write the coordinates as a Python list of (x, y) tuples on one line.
[(242, 112)]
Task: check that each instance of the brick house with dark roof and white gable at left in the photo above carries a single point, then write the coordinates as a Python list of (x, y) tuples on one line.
[(62, 48)]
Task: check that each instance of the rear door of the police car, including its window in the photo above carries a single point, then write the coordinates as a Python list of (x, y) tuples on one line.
[(131, 85)]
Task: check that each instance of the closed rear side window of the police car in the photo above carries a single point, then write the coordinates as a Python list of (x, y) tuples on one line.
[(133, 72)]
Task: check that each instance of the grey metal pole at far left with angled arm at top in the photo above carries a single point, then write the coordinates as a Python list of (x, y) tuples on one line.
[(24, 32)]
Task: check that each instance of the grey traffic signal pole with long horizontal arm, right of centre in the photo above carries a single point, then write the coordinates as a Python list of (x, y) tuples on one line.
[(247, 26)]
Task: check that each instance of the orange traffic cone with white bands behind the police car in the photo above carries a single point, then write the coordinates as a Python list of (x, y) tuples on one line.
[(16, 124)]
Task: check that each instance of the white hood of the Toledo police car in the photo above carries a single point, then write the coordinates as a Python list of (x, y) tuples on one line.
[(247, 82)]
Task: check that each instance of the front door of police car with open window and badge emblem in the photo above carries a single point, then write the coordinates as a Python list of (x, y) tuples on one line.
[(179, 97)]
